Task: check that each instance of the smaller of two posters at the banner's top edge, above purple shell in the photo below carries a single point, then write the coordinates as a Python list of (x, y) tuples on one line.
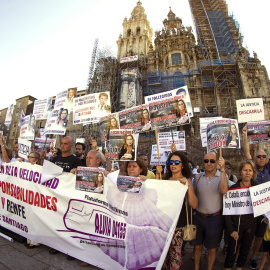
[(129, 184)]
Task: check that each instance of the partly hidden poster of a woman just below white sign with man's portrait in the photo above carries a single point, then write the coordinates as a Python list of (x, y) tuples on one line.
[(106, 124)]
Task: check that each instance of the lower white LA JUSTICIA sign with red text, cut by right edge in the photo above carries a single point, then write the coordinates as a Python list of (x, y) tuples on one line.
[(260, 196)]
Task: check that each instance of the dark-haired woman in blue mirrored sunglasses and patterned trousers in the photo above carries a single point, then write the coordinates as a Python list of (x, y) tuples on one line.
[(178, 169)]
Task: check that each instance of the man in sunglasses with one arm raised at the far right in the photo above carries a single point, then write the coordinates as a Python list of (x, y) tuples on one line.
[(263, 176)]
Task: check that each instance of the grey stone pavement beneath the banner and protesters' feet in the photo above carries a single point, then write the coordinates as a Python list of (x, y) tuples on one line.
[(14, 255)]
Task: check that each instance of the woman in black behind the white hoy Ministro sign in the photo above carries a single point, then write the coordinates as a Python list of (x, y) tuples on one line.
[(241, 228)]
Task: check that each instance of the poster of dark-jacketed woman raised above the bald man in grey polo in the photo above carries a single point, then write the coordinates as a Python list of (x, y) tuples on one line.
[(223, 133)]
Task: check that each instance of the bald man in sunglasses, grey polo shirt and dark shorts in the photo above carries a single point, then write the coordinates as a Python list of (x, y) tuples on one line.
[(209, 186)]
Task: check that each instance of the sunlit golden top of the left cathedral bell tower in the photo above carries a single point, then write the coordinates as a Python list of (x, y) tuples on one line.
[(137, 34)]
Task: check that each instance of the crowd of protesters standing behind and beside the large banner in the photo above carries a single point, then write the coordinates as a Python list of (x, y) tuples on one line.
[(204, 195)]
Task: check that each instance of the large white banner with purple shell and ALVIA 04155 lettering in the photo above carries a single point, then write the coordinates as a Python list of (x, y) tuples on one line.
[(113, 230)]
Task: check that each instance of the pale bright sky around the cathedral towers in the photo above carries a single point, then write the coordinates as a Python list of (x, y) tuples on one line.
[(46, 45)]
